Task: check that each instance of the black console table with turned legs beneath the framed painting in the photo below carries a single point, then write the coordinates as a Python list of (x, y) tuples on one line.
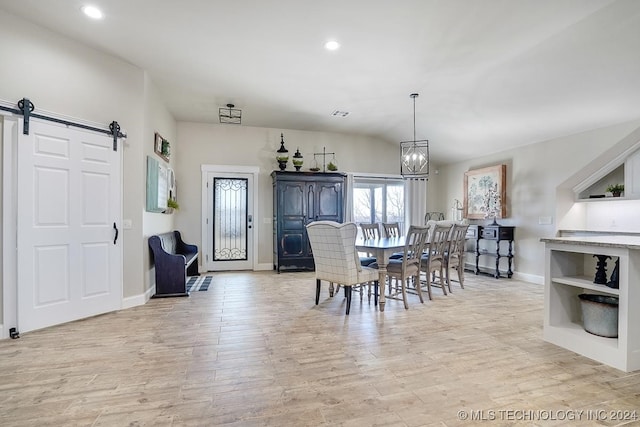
[(491, 233)]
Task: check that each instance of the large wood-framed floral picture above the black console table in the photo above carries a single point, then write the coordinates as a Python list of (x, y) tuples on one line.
[(485, 192)]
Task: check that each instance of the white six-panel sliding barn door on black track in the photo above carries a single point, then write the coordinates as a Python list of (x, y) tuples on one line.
[(69, 263)]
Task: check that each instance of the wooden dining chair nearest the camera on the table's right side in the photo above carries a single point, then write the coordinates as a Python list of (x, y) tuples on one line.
[(408, 267)]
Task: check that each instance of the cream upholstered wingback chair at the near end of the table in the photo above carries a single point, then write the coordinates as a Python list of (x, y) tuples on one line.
[(336, 260)]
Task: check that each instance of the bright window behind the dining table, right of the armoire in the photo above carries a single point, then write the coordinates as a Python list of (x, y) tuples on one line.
[(378, 200)]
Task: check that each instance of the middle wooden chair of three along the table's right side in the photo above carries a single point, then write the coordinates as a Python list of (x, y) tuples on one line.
[(433, 258)]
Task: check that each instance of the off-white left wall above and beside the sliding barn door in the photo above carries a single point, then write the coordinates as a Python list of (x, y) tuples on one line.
[(65, 77)]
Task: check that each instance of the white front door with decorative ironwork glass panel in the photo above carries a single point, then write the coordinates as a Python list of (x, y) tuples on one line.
[(229, 221)]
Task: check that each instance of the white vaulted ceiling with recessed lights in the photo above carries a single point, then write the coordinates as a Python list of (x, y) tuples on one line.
[(491, 74)]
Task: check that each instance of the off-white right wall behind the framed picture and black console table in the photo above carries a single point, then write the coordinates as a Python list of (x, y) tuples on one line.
[(533, 174)]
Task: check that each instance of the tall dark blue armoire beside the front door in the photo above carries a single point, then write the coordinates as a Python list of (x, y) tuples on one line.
[(298, 199)]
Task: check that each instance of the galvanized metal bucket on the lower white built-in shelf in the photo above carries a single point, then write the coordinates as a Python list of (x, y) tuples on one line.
[(600, 314)]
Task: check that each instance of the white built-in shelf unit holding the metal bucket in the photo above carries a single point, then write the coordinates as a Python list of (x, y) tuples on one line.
[(569, 272)]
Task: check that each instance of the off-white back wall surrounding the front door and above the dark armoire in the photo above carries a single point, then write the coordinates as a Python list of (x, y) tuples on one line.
[(252, 146)]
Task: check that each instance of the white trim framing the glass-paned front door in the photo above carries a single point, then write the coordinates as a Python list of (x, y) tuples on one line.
[(254, 171)]
